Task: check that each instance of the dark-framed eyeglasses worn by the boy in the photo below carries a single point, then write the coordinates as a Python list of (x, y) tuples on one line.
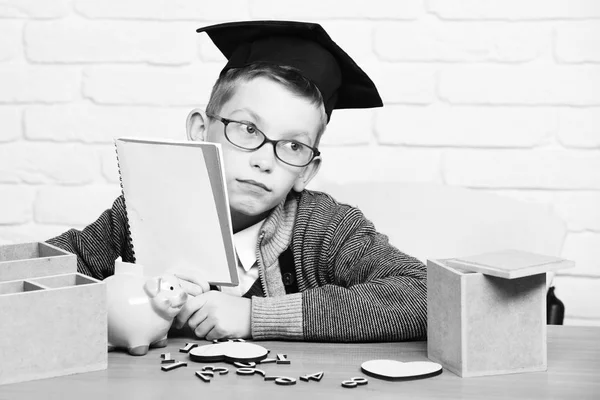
[(248, 137)]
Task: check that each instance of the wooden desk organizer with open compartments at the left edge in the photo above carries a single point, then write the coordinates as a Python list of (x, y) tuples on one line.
[(53, 318)]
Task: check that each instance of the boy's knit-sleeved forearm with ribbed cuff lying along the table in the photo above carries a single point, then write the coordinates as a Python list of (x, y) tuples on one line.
[(393, 311)]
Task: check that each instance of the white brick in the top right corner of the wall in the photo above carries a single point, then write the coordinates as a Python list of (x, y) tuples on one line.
[(514, 9)]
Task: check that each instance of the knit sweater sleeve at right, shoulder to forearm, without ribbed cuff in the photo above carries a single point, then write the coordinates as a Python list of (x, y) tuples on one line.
[(363, 288)]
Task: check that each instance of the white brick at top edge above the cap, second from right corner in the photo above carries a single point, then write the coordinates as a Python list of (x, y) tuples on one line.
[(331, 9)]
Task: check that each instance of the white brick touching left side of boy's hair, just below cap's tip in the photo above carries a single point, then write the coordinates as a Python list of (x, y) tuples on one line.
[(143, 85)]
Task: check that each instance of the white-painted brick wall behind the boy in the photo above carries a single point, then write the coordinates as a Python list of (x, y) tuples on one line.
[(498, 95)]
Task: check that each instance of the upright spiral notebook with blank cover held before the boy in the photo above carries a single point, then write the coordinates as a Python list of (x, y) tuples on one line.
[(177, 207)]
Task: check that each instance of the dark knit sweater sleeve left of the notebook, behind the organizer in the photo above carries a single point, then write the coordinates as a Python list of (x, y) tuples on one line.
[(99, 244)]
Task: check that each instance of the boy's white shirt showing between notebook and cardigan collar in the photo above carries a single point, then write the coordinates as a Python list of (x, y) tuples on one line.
[(245, 246)]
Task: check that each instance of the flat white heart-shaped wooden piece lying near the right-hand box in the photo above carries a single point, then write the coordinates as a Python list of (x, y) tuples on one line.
[(396, 370)]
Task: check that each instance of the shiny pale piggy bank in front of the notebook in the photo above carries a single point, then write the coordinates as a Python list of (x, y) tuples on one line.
[(141, 309)]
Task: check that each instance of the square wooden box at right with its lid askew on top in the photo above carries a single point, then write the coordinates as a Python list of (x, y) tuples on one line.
[(481, 324)]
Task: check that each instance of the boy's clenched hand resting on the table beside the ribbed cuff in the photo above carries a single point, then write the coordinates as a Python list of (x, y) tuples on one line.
[(216, 315)]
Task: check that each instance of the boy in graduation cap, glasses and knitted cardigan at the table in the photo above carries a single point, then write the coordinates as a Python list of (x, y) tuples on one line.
[(310, 268)]
